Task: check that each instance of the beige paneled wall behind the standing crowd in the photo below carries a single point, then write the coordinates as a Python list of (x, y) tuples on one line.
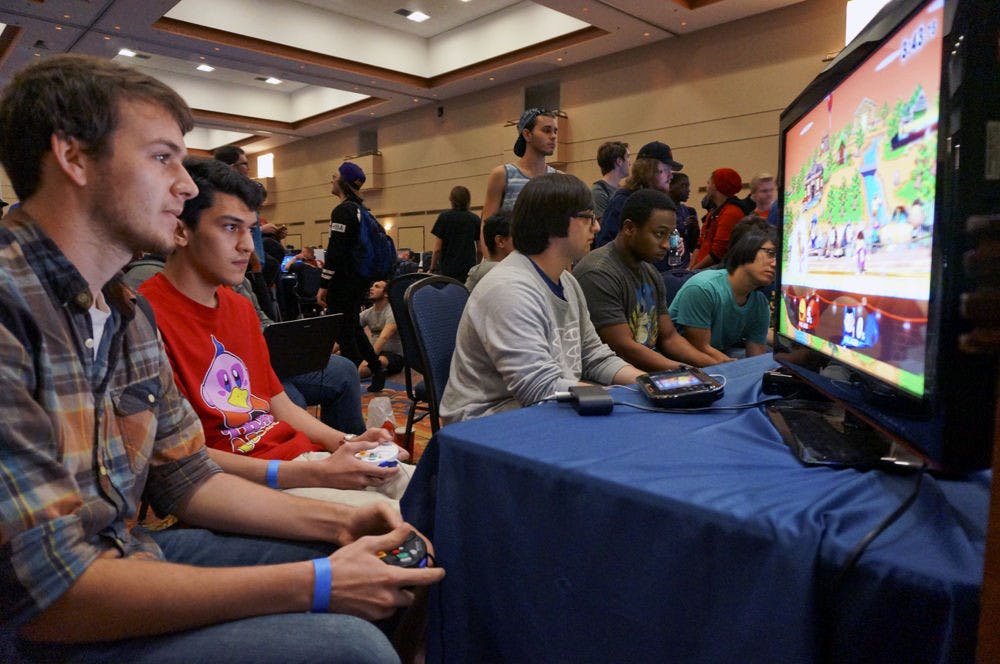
[(715, 96)]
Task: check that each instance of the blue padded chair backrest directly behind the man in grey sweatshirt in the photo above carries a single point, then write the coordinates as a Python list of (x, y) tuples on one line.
[(436, 305)]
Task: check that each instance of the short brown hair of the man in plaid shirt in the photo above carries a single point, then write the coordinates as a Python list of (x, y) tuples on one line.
[(73, 96)]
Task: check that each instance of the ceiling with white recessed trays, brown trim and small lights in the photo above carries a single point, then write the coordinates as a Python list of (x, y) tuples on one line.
[(341, 62)]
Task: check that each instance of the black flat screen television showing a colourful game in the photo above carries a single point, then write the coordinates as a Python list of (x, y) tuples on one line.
[(883, 157)]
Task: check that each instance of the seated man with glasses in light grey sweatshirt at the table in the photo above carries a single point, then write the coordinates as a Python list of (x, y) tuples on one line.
[(525, 333)]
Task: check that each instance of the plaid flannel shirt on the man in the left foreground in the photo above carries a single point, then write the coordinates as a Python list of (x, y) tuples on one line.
[(80, 439)]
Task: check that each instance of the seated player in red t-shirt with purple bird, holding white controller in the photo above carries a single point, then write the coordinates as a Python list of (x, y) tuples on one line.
[(221, 364)]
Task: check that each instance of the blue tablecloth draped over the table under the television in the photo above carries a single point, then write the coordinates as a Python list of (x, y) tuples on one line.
[(654, 537)]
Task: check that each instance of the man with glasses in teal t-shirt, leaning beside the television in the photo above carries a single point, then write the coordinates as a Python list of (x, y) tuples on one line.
[(720, 310)]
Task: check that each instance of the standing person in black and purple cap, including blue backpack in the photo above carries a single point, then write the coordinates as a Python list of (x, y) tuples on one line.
[(355, 256)]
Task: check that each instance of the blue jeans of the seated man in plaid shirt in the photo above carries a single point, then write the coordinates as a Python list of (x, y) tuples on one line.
[(292, 637)]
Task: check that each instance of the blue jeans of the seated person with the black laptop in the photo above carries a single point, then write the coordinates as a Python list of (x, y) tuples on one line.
[(337, 391)]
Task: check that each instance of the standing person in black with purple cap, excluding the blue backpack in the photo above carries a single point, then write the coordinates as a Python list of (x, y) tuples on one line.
[(342, 290)]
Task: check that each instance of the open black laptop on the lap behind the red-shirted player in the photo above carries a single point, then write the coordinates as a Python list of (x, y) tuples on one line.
[(303, 345)]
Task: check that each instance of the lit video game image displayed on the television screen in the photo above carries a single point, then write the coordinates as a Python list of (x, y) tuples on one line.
[(859, 194)]
